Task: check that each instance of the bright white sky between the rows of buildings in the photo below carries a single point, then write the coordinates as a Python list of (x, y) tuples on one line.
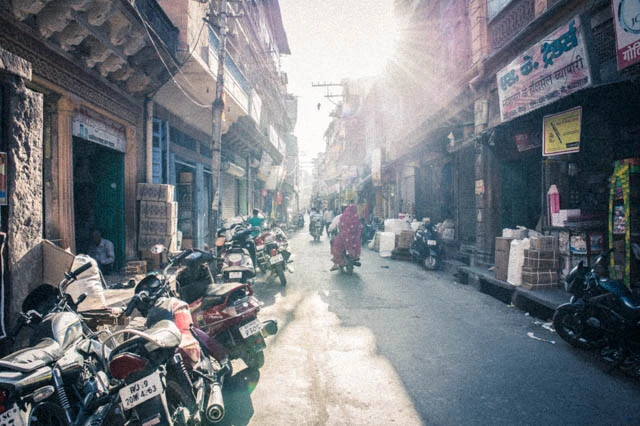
[(331, 40)]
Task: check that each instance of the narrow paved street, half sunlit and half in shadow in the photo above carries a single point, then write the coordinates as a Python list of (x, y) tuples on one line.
[(394, 344)]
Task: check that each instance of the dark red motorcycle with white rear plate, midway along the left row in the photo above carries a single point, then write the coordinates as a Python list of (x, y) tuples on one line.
[(226, 312)]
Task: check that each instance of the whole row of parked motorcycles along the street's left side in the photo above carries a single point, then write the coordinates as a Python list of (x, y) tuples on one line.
[(200, 313)]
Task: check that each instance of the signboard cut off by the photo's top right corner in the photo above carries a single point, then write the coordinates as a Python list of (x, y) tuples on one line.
[(626, 16)]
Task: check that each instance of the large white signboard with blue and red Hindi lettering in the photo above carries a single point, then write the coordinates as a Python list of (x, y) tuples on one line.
[(553, 68)]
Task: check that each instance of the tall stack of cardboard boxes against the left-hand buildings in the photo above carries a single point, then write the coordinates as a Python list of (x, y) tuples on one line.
[(158, 219)]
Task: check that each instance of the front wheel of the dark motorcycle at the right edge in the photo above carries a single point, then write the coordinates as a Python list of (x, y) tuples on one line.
[(570, 323)]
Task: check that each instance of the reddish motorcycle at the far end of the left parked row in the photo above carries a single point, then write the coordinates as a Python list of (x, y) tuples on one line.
[(272, 253)]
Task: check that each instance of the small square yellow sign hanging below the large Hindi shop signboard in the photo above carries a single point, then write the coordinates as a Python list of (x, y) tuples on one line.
[(561, 132)]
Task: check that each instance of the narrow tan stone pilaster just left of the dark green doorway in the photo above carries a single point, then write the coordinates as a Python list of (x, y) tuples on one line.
[(64, 216)]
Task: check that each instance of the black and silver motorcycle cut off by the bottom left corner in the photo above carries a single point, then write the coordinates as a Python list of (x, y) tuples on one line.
[(59, 379)]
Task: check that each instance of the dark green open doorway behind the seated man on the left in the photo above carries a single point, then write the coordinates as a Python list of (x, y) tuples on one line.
[(98, 194)]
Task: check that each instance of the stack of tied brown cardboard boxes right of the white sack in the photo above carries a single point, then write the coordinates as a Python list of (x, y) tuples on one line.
[(541, 263)]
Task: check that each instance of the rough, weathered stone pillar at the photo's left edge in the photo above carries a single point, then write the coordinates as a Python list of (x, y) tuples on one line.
[(24, 226)]
